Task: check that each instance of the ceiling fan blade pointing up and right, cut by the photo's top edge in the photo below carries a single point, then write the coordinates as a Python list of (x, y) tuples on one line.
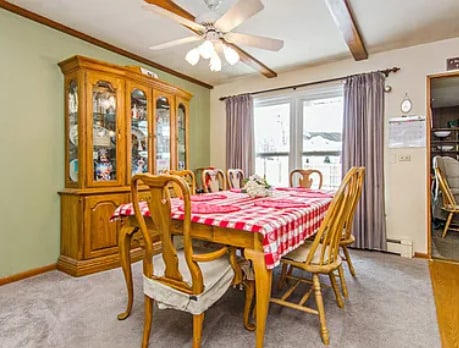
[(237, 14)]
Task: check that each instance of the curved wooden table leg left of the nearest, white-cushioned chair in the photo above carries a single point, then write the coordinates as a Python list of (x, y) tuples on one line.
[(124, 244)]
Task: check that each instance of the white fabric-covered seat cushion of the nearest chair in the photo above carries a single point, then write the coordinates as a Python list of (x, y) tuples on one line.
[(217, 277)]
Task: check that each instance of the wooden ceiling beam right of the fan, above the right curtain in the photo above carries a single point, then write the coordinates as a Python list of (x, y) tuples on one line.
[(342, 15)]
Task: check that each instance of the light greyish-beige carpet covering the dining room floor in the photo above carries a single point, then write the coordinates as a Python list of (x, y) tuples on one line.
[(390, 305)]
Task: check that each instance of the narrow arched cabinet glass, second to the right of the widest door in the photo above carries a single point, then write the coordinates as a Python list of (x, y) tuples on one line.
[(162, 133)]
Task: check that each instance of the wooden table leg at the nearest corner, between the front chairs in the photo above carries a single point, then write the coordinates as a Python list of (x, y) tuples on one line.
[(263, 278)]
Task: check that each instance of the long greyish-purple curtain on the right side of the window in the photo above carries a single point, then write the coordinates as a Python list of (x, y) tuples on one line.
[(363, 145)]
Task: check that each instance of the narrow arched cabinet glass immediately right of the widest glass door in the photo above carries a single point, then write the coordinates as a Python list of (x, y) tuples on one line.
[(139, 132)]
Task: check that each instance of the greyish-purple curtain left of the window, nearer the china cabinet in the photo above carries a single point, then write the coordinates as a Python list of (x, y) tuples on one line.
[(240, 150)]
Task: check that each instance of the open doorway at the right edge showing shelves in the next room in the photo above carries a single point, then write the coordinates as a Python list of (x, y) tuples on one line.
[(443, 152)]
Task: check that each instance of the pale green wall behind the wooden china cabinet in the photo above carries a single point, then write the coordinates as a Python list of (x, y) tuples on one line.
[(32, 136)]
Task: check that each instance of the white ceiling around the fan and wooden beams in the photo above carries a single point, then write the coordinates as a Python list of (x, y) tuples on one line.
[(306, 26)]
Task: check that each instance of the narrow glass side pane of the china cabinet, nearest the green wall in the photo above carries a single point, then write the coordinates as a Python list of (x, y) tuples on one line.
[(72, 145)]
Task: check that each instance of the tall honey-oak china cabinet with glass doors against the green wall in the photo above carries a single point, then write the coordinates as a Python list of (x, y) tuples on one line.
[(118, 122)]
